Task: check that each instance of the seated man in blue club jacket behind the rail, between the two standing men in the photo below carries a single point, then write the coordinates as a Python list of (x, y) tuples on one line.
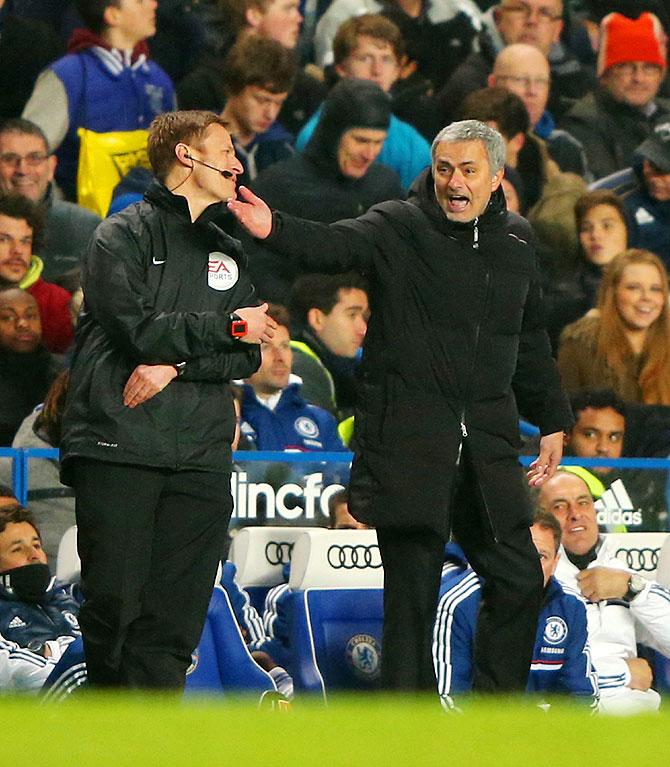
[(274, 414)]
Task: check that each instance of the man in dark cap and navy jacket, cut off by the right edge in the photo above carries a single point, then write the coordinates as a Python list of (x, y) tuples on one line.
[(648, 205)]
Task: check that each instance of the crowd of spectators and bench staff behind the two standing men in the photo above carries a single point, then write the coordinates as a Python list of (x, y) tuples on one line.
[(332, 108)]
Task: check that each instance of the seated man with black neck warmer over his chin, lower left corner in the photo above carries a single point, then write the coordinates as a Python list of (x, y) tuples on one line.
[(38, 617)]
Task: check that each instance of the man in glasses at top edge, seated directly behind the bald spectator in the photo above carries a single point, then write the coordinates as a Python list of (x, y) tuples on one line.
[(534, 22)]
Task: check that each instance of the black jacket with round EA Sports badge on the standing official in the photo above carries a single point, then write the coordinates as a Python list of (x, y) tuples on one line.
[(158, 290)]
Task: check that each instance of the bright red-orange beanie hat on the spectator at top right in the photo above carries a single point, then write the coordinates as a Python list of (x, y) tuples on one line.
[(623, 39)]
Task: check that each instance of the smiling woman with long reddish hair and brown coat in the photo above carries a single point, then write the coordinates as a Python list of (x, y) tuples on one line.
[(626, 344)]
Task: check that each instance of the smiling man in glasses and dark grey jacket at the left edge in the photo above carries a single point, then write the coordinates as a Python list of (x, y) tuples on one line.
[(27, 168)]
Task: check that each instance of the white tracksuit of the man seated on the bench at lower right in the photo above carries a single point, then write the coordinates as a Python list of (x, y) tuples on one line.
[(616, 627)]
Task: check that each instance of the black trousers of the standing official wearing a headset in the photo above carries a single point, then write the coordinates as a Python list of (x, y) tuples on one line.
[(149, 541)]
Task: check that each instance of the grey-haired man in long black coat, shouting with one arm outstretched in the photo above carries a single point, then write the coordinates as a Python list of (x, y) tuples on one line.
[(456, 342)]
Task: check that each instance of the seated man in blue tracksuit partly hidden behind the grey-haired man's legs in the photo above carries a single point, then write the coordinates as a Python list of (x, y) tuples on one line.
[(561, 658)]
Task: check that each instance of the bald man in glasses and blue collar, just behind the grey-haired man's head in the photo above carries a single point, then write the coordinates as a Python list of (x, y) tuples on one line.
[(524, 70)]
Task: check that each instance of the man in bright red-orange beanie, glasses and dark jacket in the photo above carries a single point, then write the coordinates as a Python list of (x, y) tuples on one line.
[(622, 112)]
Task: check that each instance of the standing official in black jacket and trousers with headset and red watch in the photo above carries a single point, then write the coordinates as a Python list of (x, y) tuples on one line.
[(169, 317)]
